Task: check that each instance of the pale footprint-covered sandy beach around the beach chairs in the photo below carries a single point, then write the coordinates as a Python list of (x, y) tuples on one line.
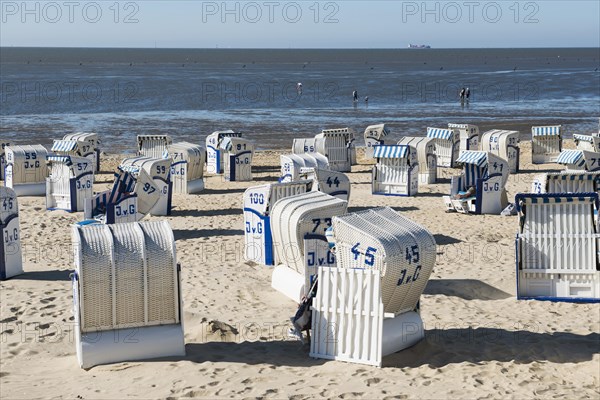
[(480, 341)]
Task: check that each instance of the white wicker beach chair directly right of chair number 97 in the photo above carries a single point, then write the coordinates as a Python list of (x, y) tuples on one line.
[(187, 168)]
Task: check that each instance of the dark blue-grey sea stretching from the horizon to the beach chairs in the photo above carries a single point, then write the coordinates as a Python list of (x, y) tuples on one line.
[(189, 93)]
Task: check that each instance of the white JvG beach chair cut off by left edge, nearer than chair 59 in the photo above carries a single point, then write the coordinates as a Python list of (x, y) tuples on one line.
[(11, 261)]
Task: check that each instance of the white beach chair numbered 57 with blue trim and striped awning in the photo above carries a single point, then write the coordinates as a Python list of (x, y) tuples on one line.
[(70, 183)]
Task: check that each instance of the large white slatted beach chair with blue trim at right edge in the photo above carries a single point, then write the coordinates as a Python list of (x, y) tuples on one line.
[(557, 247)]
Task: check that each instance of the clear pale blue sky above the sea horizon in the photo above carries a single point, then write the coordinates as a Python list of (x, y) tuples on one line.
[(300, 24)]
